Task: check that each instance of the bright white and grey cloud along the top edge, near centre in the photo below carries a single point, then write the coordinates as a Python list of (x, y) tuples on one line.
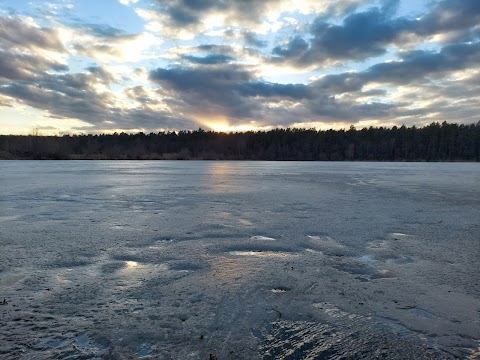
[(185, 19)]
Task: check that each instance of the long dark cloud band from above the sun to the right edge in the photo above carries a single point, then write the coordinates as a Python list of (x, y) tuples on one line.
[(236, 92)]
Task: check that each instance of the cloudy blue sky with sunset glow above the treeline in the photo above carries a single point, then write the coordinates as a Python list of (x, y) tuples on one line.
[(105, 66)]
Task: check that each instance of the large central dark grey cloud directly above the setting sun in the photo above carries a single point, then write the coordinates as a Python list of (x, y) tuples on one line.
[(235, 92)]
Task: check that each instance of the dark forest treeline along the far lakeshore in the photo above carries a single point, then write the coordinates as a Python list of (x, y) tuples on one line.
[(434, 142)]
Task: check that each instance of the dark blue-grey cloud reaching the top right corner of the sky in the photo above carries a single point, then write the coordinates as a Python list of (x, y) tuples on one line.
[(367, 34)]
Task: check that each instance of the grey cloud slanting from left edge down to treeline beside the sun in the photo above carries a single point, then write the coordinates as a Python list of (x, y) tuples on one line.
[(75, 96)]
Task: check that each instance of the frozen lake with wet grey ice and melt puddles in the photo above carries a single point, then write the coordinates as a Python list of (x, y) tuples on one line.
[(241, 260)]
